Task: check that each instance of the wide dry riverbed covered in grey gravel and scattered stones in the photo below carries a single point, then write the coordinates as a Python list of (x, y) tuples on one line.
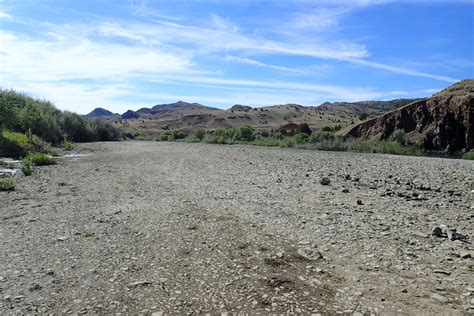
[(182, 228)]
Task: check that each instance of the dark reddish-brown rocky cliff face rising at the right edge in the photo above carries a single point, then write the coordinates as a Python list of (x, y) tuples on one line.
[(444, 122)]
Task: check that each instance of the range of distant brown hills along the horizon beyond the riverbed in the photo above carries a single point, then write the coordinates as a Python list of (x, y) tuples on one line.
[(191, 116)]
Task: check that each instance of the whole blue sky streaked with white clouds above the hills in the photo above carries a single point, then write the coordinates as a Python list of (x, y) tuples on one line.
[(132, 53)]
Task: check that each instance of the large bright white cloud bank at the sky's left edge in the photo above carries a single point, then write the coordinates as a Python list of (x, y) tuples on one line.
[(71, 57)]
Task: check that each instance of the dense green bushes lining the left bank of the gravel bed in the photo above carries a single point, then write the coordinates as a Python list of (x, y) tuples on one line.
[(30, 125)]
